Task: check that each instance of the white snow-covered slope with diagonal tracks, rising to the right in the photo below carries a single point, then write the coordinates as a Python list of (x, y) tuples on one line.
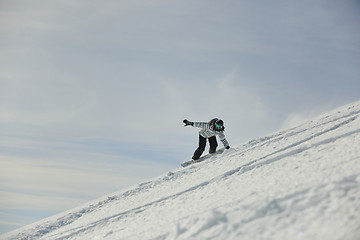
[(301, 183)]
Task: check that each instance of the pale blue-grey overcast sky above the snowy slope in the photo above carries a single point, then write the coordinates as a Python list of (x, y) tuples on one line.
[(93, 93)]
